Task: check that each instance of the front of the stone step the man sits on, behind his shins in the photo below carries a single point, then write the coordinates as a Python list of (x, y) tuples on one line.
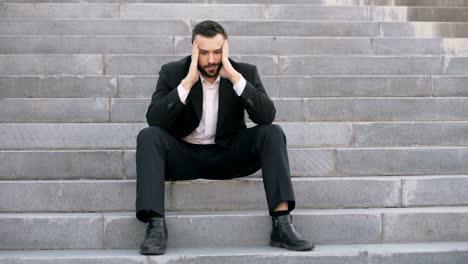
[(239, 194)]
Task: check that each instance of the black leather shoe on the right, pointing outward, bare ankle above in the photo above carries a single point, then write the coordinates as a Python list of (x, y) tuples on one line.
[(284, 235)]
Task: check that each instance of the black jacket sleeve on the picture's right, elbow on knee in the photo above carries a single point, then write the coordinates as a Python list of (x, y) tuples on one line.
[(258, 105)]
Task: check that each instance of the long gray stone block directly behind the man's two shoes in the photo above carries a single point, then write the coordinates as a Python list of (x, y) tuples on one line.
[(245, 228)]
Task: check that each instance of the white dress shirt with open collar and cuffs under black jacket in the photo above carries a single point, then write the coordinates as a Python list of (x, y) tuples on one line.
[(206, 130)]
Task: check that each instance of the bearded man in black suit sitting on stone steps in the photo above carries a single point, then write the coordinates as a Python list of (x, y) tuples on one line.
[(197, 130)]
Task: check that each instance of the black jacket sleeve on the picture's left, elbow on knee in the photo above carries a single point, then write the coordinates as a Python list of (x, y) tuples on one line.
[(165, 104)]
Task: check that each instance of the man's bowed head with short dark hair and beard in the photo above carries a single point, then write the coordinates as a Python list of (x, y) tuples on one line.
[(210, 37)]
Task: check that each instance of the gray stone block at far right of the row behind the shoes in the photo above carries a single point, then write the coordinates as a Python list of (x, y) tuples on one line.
[(444, 224)]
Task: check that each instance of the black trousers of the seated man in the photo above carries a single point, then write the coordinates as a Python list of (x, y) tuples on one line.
[(161, 157)]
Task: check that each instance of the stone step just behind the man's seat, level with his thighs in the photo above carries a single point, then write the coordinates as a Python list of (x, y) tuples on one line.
[(120, 164)]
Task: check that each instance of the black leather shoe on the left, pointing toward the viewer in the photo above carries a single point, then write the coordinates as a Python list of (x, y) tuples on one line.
[(155, 242)]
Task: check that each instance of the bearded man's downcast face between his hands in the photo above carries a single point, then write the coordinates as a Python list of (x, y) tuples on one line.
[(210, 56)]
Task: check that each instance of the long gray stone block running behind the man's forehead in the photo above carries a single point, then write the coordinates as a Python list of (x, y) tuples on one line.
[(279, 45)]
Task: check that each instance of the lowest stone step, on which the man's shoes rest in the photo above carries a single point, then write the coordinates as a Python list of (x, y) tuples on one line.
[(388, 253)]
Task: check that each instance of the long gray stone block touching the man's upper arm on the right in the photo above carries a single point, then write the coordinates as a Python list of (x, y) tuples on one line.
[(353, 86)]
